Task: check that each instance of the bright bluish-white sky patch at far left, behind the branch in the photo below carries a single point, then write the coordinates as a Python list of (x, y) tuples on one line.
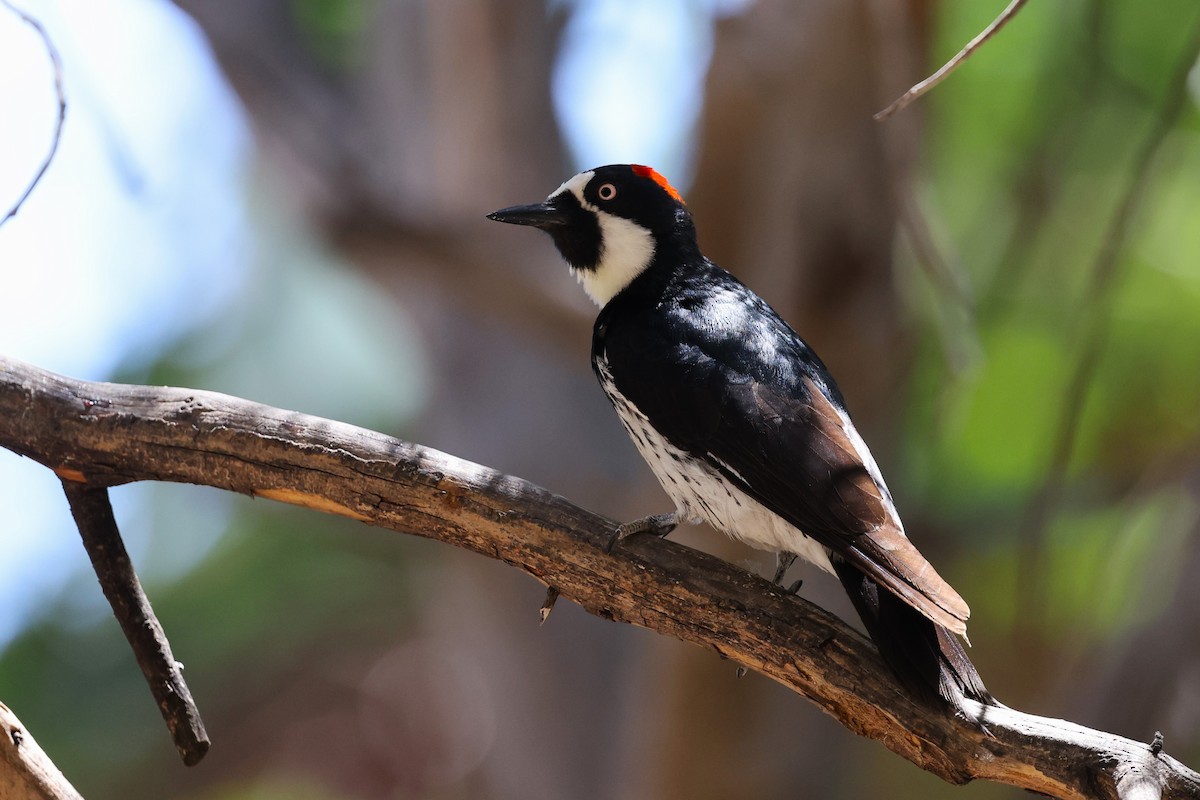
[(135, 234)]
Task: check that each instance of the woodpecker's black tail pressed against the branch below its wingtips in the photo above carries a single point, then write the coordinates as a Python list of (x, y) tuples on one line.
[(928, 659)]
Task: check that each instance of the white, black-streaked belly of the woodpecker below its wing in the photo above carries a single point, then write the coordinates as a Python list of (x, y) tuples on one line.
[(703, 495)]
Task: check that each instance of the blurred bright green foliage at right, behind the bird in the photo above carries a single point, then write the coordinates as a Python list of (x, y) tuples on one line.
[(1031, 148)]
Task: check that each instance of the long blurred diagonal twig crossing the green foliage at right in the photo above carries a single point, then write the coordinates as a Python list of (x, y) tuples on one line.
[(1099, 305)]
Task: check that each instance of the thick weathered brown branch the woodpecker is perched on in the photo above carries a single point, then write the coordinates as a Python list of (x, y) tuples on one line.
[(106, 435)]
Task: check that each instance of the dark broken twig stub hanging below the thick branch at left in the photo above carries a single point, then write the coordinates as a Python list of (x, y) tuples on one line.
[(98, 527)]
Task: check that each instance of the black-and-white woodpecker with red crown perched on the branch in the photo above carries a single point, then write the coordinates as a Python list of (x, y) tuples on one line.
[(742, 423)]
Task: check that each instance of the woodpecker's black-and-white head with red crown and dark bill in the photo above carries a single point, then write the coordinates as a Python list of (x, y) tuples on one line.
[(609, 224)]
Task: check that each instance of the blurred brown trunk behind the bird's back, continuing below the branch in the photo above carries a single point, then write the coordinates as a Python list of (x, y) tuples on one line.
[(795, 195)]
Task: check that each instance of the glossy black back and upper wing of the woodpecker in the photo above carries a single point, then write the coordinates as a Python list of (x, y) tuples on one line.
[(722, 376)]
